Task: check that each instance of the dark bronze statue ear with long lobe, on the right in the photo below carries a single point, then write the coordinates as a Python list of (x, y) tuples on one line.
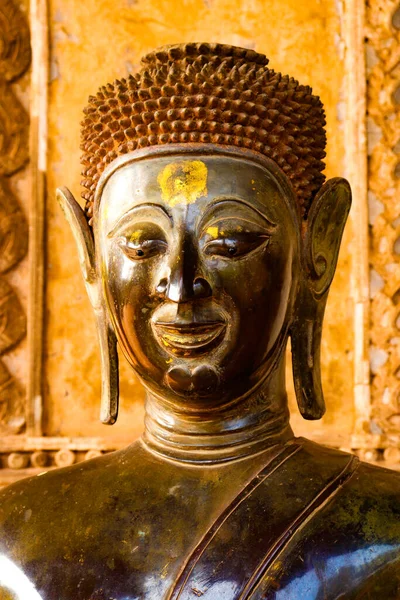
[(321, 243)]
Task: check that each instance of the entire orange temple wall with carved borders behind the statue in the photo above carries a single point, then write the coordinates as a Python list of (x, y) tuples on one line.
[(349, 56)]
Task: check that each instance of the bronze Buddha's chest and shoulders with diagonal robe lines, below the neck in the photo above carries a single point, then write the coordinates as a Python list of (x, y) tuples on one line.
[(298, 521)]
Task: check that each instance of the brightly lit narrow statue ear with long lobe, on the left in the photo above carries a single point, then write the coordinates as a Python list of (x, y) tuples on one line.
[(107, 340)]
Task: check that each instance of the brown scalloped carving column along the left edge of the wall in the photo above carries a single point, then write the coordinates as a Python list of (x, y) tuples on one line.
[(15, 58)]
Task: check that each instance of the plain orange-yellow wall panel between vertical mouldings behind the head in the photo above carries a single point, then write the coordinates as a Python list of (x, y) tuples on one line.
[(96, 41)]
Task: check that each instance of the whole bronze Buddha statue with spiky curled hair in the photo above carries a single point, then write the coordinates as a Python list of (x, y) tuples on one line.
[(209, 237)]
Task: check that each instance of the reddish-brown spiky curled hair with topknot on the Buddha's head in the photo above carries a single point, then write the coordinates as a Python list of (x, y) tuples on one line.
[(210, 93)]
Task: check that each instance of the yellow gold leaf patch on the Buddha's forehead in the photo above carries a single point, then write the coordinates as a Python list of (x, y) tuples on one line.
[(183, 182)]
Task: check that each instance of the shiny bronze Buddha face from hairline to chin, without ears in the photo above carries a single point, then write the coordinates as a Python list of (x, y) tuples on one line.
[(198, 258)]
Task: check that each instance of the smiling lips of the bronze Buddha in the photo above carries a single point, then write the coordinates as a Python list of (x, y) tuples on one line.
[(189, 339)]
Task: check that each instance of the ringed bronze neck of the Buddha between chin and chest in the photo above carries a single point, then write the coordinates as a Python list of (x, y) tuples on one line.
[(247, 427)]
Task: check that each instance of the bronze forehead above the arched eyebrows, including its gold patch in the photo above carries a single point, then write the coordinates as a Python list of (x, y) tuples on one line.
[(181, 180)]
